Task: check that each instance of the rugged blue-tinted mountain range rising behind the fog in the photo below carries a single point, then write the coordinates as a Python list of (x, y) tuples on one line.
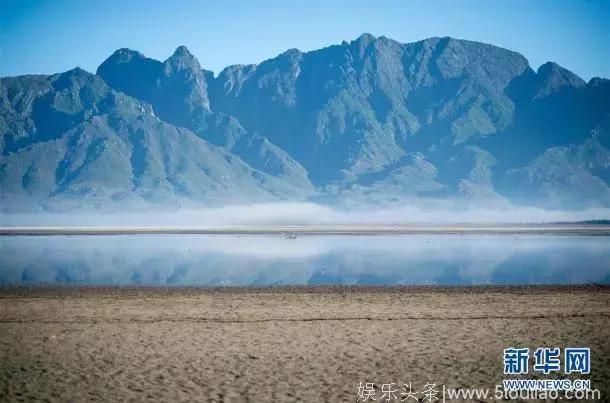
[(371, 121)]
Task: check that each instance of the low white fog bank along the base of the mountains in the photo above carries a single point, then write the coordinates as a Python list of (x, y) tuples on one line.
[(303, 214)]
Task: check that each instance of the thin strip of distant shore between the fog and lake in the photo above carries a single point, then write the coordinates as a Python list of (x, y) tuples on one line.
[(294, 230)]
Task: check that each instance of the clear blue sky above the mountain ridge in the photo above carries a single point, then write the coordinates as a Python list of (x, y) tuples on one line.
[(52, 36)]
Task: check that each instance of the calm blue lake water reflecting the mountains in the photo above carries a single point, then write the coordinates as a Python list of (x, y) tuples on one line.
[(271, 260)]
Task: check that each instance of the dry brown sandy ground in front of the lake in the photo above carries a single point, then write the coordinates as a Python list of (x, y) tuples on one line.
[(281, 344)]
